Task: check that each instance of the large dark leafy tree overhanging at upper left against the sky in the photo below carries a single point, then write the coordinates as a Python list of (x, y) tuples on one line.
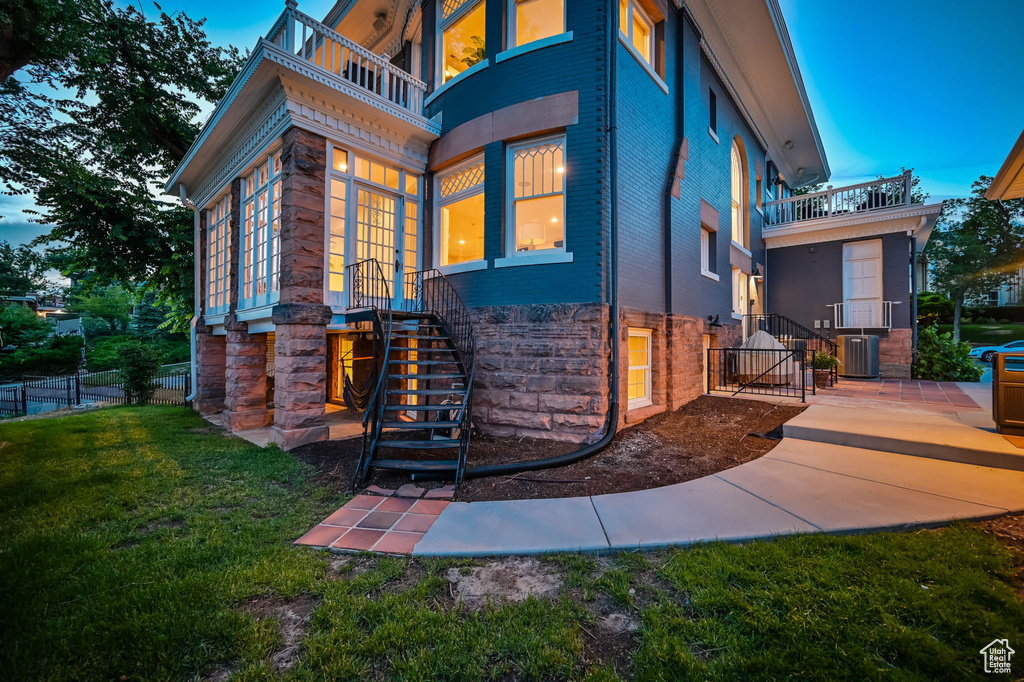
[(104, 105)]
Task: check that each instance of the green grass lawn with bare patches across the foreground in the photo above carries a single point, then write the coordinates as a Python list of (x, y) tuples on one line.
[(137, 544)]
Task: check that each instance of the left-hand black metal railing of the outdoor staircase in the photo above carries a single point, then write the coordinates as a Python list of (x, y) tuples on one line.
[(370, 289)]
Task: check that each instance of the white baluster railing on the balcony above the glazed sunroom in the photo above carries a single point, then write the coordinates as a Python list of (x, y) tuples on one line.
[(307, 38)]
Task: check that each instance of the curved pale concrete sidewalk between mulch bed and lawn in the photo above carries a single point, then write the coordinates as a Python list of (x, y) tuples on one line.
[(805, 485)]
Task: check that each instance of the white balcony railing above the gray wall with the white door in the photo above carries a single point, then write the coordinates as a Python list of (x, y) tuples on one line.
[(890, 193)]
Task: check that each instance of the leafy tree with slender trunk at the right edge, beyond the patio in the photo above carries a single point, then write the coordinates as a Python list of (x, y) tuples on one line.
[(976, 247)]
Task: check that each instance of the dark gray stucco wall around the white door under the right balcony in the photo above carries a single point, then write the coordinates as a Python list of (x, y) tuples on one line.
[(803, 281)]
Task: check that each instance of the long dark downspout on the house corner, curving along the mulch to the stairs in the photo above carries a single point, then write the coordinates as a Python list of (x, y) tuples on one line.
[(612, 425)]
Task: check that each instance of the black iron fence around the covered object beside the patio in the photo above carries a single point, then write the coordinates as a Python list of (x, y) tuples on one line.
[(761, 372)]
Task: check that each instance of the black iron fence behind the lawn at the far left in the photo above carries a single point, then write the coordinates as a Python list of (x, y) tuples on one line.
[(39, 394)]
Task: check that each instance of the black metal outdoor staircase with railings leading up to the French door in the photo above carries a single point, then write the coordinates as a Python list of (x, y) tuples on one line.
[(420, 416)]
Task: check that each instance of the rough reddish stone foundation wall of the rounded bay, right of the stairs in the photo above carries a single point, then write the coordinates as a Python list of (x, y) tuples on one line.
[(542, 371)]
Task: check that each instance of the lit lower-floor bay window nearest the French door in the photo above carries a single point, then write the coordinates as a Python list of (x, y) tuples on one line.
[(461, 217)]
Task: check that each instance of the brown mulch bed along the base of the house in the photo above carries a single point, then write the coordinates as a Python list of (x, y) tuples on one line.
[(705, 437)]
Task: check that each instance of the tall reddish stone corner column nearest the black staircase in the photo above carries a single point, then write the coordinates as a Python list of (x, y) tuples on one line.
[(302, 319)]
